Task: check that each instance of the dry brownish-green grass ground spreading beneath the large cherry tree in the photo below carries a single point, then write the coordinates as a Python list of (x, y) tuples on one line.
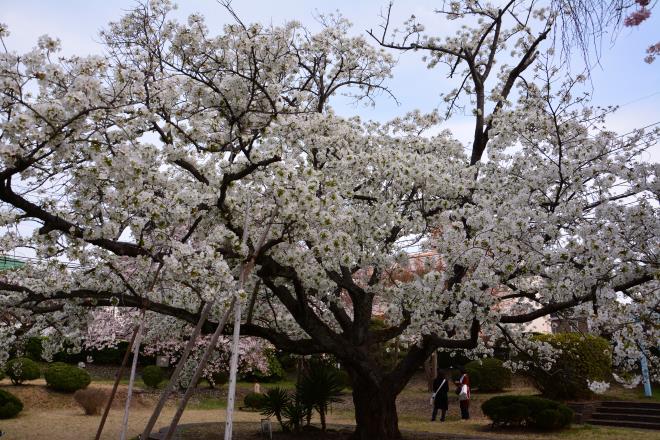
[(56, 416)]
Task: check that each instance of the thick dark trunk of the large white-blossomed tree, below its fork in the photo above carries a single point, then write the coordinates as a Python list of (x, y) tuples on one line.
[(375, 412)]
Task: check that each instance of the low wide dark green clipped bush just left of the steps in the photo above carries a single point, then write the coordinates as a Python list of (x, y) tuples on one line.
[(527, 411)]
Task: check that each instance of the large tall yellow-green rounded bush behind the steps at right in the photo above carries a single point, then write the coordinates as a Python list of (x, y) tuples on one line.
[(583, 359)]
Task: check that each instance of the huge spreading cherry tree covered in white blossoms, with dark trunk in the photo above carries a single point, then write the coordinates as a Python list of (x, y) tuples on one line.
[(148, 165)]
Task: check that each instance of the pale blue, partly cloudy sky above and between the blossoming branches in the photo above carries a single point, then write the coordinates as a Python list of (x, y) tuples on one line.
[(623, 78)]
